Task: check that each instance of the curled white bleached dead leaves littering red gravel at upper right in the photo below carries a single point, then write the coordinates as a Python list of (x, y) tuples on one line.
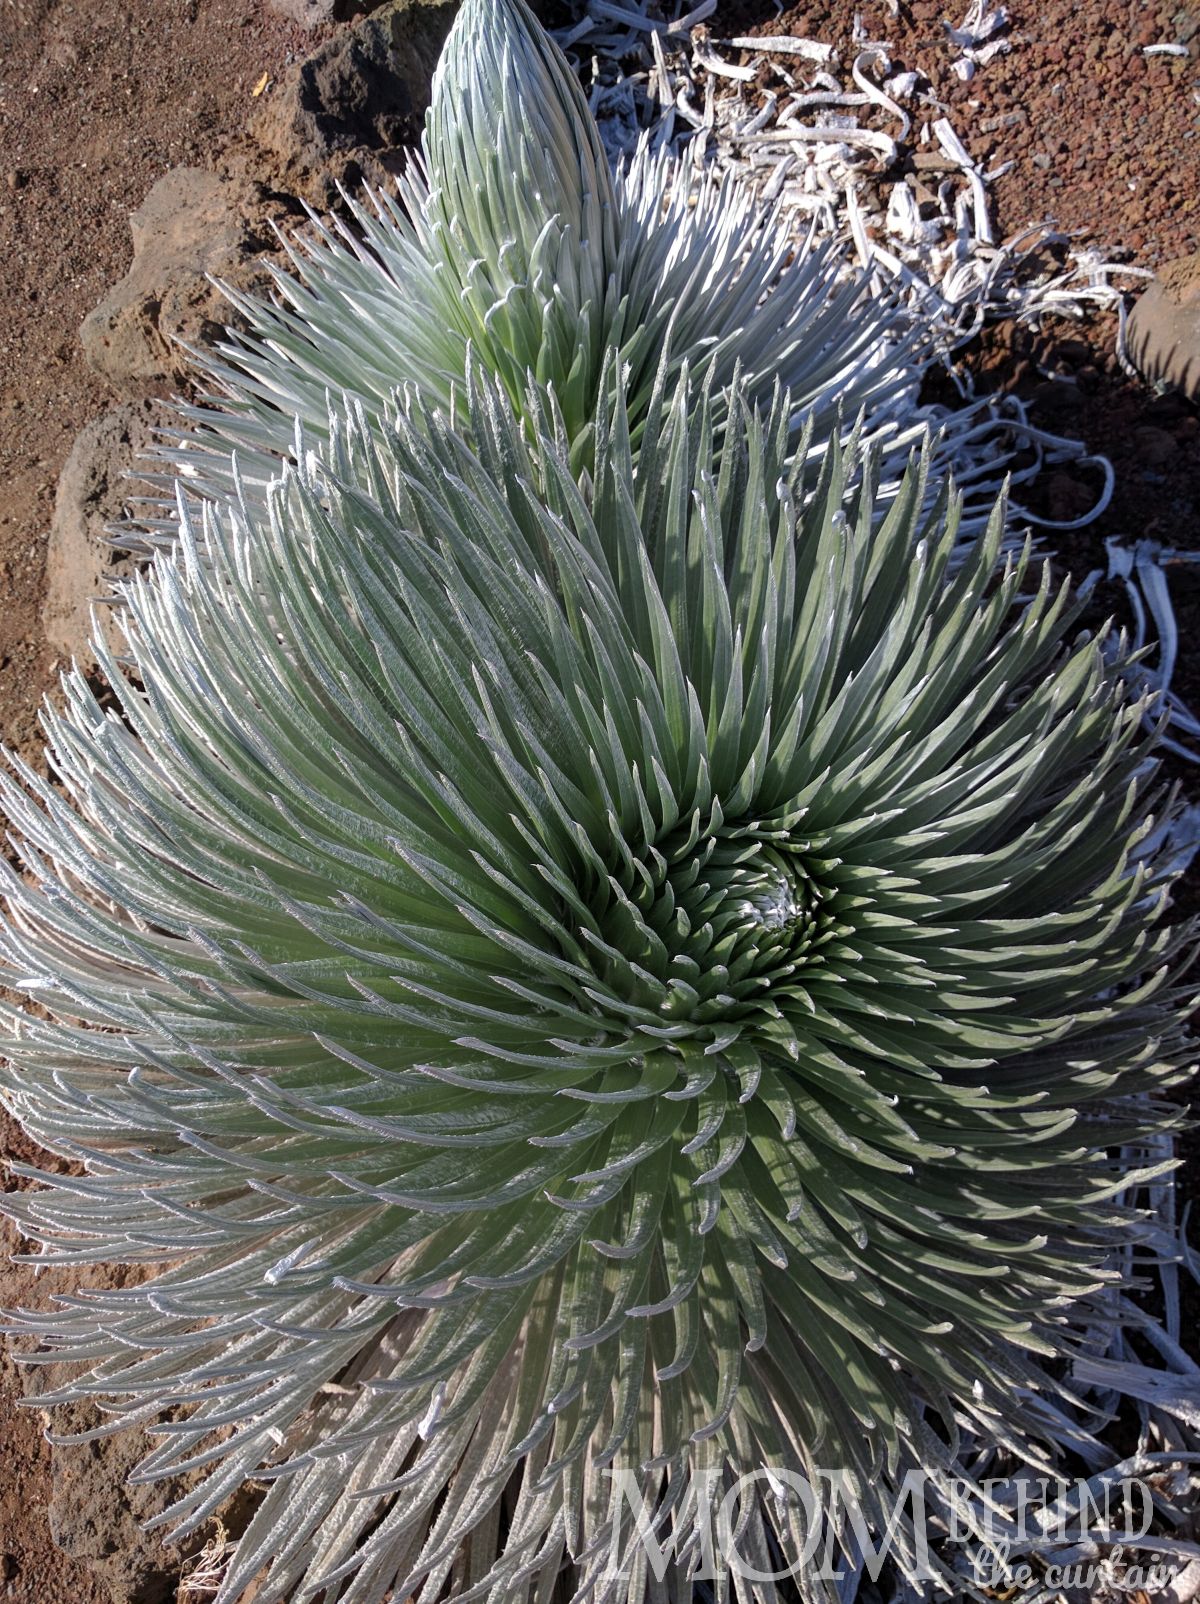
[(825, 150)]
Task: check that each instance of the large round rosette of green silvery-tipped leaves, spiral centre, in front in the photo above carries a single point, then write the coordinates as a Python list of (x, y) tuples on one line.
[(557, 987)]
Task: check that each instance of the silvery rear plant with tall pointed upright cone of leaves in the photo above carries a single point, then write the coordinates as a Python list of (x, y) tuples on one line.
[(511, 237)]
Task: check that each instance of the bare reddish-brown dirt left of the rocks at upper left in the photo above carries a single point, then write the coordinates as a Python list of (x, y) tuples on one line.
[(95, 105)]
